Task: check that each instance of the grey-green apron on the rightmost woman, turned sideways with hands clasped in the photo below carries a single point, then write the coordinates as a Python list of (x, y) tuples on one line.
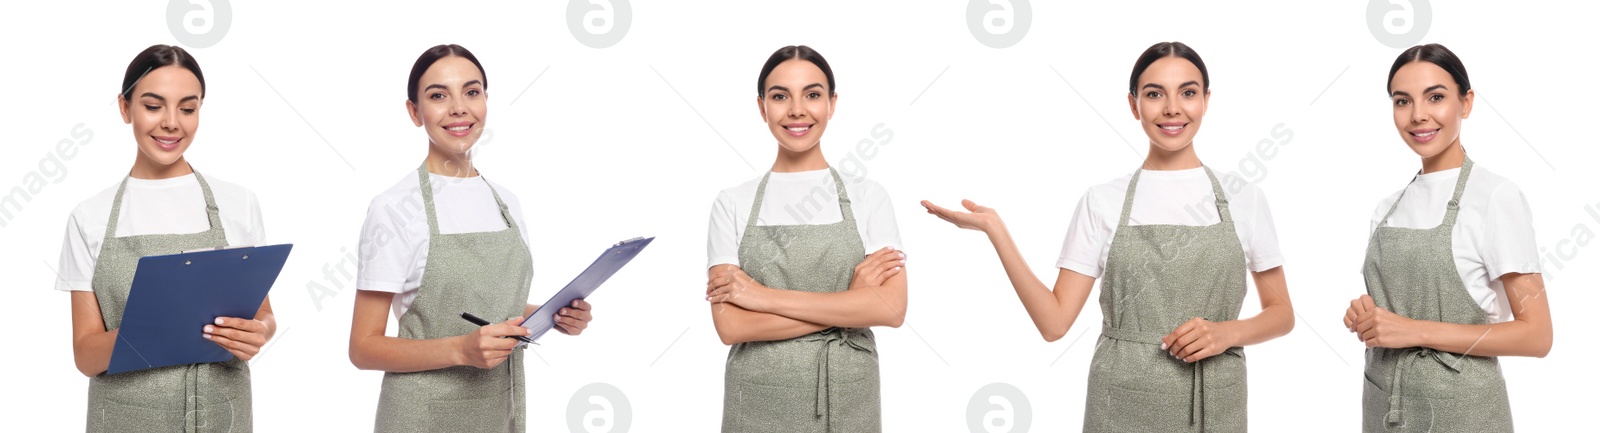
[(1412, 272)]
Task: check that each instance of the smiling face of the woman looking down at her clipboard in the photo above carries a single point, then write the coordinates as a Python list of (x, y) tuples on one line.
[(164, 113)]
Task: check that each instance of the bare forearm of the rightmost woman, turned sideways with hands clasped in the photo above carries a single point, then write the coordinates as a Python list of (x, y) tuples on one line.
[(1502, 340)]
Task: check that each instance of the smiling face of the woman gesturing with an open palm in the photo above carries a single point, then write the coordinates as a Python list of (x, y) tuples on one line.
[(1170, 103)]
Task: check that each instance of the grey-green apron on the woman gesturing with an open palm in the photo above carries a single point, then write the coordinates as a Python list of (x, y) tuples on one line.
[(1159, 277)]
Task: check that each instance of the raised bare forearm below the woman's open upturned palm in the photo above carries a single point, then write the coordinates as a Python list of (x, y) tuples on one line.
[(1038, 300)]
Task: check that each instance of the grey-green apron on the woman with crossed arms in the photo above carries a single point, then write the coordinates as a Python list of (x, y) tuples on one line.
[(826, 381)]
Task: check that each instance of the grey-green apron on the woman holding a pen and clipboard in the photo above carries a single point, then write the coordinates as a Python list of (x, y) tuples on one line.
[(484, 274)]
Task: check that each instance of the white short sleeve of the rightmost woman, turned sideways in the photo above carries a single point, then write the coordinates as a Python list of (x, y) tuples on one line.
[(1508, 244)]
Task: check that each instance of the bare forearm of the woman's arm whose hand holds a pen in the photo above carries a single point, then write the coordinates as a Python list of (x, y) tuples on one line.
[(406, 356)]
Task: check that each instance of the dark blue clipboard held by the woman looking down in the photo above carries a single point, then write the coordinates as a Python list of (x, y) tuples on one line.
[(175, 296)]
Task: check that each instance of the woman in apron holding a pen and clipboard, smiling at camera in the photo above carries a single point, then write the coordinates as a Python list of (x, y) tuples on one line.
[(444, 242)]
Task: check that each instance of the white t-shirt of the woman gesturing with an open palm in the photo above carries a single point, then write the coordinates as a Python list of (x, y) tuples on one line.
[(1177, 197)]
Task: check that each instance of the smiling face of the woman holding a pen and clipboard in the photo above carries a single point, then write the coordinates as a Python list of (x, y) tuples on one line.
[(452, 105)]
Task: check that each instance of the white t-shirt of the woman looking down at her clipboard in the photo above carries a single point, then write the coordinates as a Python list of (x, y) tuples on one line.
[(154, 207)]
